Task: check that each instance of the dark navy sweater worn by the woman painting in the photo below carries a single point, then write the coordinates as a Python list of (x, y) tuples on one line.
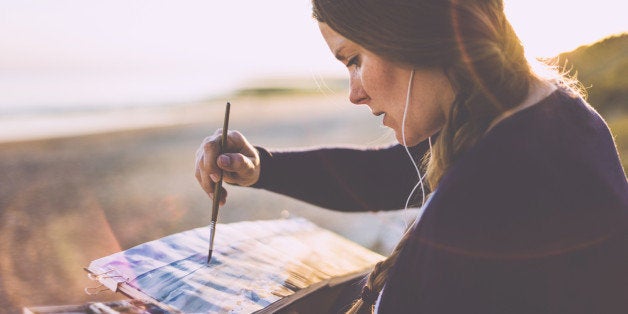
[(533, 219)]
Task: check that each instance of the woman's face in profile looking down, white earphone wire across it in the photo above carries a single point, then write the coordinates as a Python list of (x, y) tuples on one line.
[(383, 86)]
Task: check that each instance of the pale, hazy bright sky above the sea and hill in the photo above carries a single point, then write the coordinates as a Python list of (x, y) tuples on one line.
[(121, 52)]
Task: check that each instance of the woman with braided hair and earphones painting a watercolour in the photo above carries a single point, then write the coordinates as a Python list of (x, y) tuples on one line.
[(529, 205)]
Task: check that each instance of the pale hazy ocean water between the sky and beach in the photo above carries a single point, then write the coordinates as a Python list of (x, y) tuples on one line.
[(48, 104)]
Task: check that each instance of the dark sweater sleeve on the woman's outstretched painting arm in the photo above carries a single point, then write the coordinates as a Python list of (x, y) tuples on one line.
[(343, 178)]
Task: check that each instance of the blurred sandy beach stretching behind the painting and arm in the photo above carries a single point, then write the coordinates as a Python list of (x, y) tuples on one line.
[(75, 195)]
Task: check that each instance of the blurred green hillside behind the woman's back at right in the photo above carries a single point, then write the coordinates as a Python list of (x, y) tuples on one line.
[(601, 68)]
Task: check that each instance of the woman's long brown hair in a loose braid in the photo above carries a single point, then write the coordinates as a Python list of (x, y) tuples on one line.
[(471, 40)]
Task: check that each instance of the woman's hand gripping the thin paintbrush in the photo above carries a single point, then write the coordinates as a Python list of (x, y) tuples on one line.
[(239, 162)]
